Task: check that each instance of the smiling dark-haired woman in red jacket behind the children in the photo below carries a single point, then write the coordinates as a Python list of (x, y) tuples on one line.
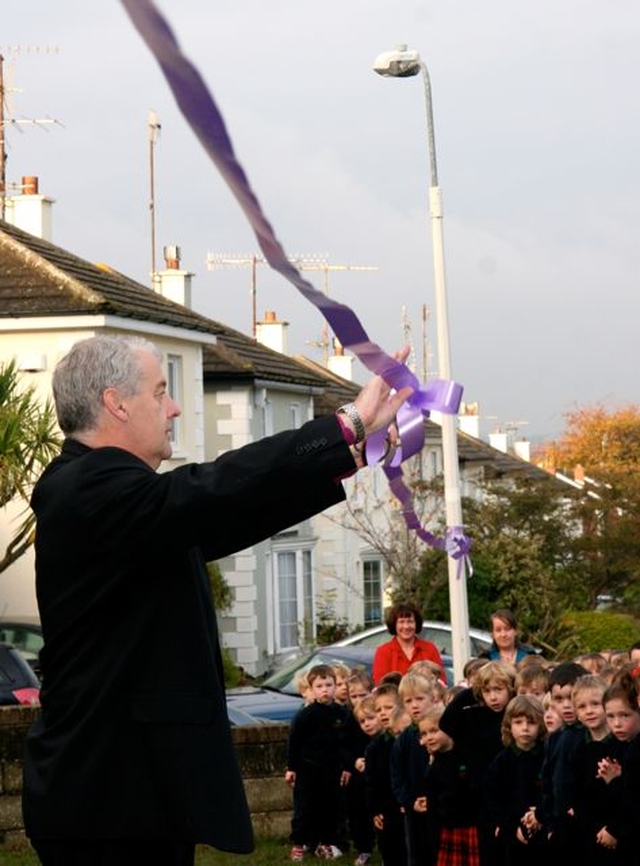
[(404, 622)]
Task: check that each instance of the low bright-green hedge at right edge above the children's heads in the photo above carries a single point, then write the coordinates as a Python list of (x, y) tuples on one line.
[(593, 631)]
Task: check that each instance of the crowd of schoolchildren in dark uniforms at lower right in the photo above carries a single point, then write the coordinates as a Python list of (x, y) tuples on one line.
[(515, 765)]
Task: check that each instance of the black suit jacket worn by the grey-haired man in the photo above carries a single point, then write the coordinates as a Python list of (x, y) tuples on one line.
[(133, 739)]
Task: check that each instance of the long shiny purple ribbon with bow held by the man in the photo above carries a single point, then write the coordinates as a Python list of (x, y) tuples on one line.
[(202, 114)]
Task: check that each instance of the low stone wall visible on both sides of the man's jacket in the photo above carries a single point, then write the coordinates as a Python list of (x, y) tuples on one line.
[(261, 754)]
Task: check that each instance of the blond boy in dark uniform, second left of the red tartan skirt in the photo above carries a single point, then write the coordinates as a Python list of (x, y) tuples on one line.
[(409, 764)]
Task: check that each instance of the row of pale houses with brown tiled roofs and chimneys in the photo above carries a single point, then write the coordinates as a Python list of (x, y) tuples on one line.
[(232, 390)]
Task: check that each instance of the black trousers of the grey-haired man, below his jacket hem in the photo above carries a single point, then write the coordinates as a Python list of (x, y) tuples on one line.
[(113, 852)]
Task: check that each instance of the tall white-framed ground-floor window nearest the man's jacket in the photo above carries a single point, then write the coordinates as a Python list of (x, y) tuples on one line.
[(294, 597)]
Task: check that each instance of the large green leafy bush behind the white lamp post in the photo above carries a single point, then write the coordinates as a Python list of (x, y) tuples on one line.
[(521, 556)]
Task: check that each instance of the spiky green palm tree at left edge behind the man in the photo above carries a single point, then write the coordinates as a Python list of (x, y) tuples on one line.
[(29, 440)]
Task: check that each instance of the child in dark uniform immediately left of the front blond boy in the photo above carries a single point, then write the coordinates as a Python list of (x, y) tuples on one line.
[(383, 808)]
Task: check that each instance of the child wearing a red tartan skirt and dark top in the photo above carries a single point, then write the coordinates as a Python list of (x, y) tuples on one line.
[(450, 802)]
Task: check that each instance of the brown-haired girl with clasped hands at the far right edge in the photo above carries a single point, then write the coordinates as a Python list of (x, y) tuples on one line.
[(621, 704)]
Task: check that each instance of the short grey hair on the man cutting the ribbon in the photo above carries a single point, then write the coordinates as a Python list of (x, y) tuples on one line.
[(88, 369)]
